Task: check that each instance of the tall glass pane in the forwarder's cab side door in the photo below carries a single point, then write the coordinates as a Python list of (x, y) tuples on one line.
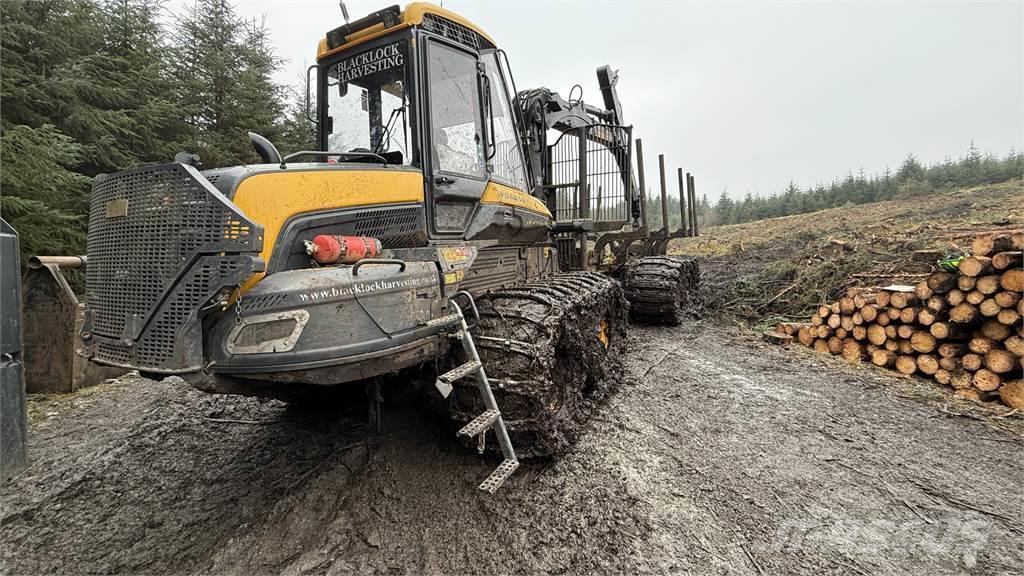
[(456, 126)]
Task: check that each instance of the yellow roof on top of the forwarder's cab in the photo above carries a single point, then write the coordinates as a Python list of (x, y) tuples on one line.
[(374, 26)]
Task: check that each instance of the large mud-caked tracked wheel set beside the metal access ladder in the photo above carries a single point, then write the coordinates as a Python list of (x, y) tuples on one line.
[(552, 350)]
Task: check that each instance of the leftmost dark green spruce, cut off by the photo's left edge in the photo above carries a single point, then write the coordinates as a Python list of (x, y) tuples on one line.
[(42, 193)]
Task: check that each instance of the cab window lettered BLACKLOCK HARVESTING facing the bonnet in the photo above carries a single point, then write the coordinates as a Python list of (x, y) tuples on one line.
[(368, 103)]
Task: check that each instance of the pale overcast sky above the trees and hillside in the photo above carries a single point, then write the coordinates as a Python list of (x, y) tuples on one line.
[(748, 96)]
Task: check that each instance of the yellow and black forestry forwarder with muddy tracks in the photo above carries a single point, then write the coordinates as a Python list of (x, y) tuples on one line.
[(435, 184)]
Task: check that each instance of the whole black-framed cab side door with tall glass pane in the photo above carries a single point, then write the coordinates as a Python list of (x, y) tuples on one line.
[(456, 166)]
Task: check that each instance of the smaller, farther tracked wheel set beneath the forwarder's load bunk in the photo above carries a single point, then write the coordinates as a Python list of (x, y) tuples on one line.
[(661, 289)]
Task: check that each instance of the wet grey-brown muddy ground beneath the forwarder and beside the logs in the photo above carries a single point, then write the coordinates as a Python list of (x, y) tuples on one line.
[(719, 456)]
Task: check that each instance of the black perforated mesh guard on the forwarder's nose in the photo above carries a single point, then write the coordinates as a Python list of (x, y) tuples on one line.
[(155, 262)]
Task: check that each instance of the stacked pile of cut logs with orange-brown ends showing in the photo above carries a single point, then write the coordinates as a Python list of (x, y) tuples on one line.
[(965, 330)]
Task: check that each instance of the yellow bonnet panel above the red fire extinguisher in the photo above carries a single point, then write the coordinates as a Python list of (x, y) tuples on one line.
[(271, 199)]
